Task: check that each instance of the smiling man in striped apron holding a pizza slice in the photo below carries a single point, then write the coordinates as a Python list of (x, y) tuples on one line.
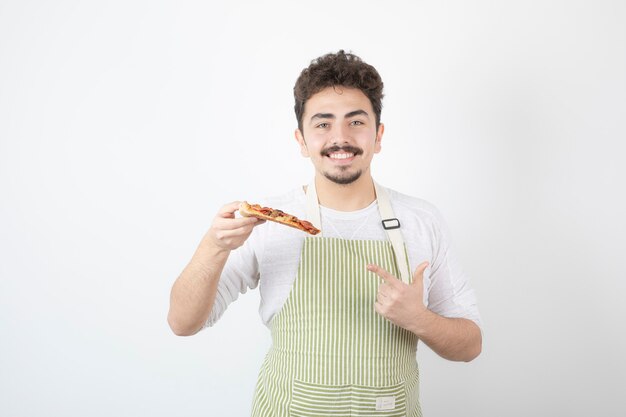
[(344, 310)]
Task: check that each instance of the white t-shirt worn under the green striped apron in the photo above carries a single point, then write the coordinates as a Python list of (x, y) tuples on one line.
[(270, 257)]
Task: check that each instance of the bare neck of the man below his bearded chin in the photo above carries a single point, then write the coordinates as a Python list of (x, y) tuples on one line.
[(348, 197)]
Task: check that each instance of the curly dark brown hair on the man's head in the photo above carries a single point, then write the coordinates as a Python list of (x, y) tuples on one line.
[(338, 70)]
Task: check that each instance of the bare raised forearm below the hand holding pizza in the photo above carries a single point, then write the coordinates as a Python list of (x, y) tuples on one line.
[(193, 293)]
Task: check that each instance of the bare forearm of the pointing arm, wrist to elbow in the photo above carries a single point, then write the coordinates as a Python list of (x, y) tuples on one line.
[(454, 339)]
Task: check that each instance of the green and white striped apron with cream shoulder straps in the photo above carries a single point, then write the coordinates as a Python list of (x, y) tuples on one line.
[(332, 354)]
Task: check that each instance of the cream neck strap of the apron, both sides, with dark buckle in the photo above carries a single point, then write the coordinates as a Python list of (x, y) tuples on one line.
[(390, 223)]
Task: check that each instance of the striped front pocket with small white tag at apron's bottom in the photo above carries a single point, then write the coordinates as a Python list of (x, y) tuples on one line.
[(310, 400)]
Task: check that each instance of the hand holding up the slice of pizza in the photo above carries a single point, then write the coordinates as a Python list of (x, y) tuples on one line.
[(228, 232)]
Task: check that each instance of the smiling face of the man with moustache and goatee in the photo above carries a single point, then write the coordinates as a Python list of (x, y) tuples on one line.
[(339, 134)]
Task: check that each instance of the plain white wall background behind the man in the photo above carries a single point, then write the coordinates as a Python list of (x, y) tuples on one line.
[(125, 125)]
